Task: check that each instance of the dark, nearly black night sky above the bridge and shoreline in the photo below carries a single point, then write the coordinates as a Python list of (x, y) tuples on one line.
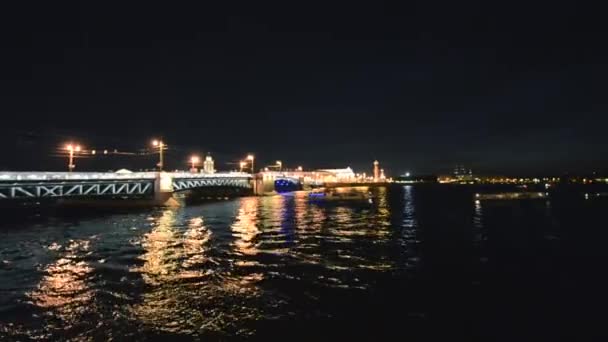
[(504, 87)]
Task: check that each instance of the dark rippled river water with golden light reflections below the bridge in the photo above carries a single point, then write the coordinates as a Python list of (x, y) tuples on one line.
[(422, 262)]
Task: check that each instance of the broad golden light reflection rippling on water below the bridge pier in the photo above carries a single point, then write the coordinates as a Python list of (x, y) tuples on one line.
[(183, 293)]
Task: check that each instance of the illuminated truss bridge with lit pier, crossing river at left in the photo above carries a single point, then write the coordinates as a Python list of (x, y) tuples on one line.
[(158, 185)]
